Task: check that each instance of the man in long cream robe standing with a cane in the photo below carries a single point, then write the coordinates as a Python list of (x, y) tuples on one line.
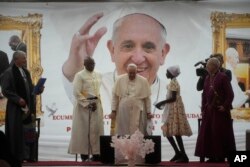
[(87, 124)]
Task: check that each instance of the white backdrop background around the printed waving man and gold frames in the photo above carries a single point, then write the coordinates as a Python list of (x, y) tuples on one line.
[(188, 33)]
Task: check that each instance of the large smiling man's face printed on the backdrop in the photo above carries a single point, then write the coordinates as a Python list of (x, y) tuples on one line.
[(138, 39)]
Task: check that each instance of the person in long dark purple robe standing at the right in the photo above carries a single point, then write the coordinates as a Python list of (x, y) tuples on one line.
[(216, 138)]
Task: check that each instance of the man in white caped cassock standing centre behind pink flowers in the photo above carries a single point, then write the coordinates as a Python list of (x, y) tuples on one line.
[(131, 104)]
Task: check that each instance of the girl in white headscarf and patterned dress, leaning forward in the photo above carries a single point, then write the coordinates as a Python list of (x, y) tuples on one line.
[(174, 117)]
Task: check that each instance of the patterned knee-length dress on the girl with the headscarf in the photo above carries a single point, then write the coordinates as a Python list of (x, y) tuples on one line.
[(174, 116)]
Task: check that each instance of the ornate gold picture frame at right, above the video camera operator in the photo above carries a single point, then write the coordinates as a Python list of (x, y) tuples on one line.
[(221, 22)]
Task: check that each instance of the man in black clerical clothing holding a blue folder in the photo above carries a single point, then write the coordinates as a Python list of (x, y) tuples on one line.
[(17, 87)]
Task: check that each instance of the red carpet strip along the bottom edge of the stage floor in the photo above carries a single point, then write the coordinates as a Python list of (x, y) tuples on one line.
[(164, 163)]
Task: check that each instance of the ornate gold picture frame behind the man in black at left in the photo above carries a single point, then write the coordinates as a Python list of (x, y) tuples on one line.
[(30, 27)]
